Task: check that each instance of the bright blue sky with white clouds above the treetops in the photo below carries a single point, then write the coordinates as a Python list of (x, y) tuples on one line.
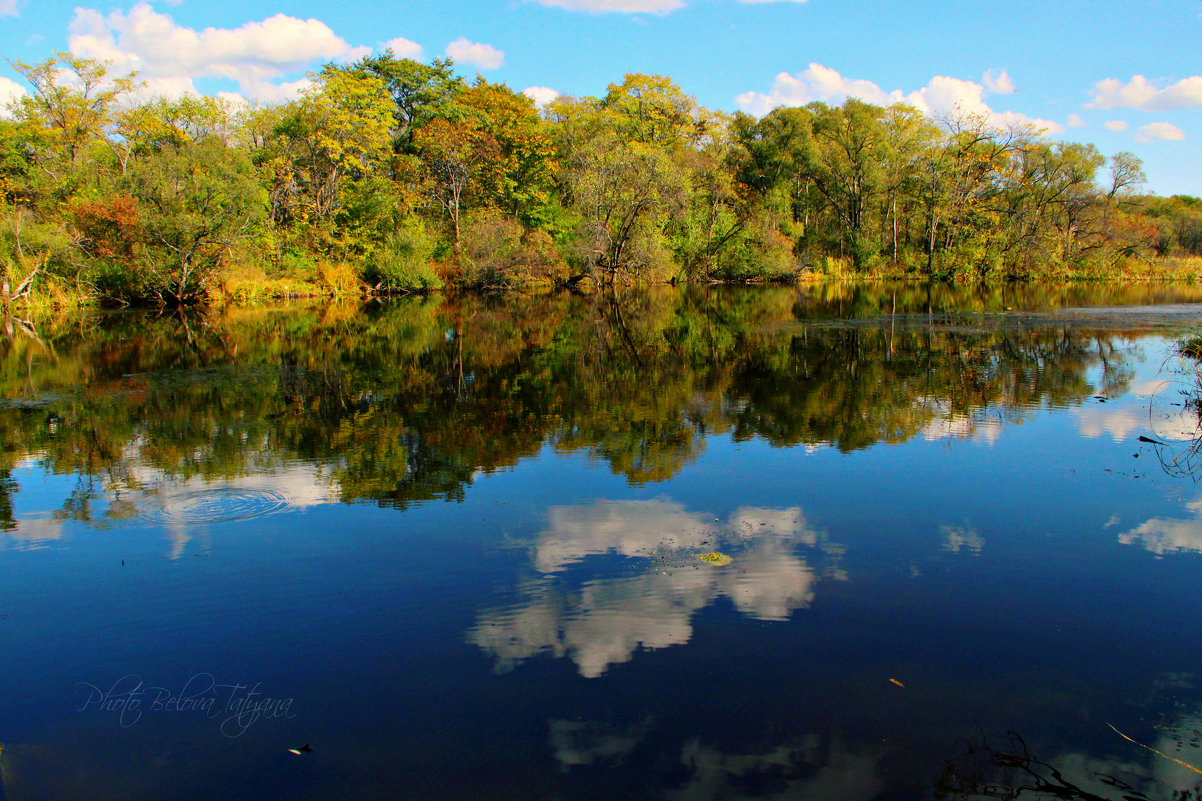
[(1123, 76)]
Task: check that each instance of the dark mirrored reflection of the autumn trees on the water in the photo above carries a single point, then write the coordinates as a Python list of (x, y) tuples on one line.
[(409, 402)]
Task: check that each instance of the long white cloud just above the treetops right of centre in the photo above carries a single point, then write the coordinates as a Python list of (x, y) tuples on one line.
[(943, 96)]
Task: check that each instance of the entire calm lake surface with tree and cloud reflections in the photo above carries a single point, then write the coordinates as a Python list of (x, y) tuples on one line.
[(455, 547)]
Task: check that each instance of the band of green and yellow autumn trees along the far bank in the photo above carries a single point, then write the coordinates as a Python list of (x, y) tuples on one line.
[(389, 175)]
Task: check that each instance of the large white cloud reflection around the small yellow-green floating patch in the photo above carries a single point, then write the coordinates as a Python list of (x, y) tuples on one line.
[(608, 619)]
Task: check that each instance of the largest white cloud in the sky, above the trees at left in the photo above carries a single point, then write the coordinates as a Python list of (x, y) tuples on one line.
[(169, 57)]
